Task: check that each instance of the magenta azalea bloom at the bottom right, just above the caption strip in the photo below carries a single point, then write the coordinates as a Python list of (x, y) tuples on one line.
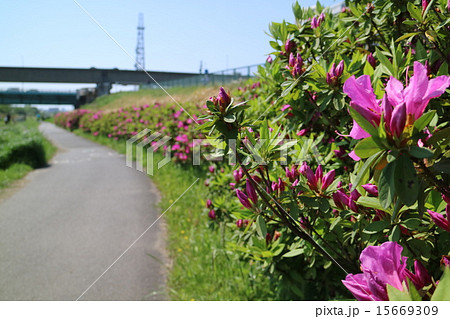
[(381, 265)]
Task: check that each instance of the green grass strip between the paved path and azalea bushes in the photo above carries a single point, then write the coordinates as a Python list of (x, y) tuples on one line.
[(202, 268)]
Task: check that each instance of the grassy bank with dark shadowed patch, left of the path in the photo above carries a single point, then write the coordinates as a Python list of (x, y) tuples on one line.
[(22, 149)]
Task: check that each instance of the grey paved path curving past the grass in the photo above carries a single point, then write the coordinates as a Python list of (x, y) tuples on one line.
[(72, 220)]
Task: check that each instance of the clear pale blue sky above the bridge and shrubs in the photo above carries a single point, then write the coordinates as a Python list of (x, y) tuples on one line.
[(178, 35)]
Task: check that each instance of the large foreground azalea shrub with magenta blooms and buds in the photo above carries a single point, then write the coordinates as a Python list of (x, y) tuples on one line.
[(342, 151)]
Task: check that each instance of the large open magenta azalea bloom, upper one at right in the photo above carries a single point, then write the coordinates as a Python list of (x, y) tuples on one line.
[(401, 106)]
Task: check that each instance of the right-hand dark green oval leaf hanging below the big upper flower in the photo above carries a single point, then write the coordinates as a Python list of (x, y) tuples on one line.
[(405, 180)]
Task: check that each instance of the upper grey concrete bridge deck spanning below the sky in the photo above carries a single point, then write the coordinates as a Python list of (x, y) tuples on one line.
[(104, 78)]
